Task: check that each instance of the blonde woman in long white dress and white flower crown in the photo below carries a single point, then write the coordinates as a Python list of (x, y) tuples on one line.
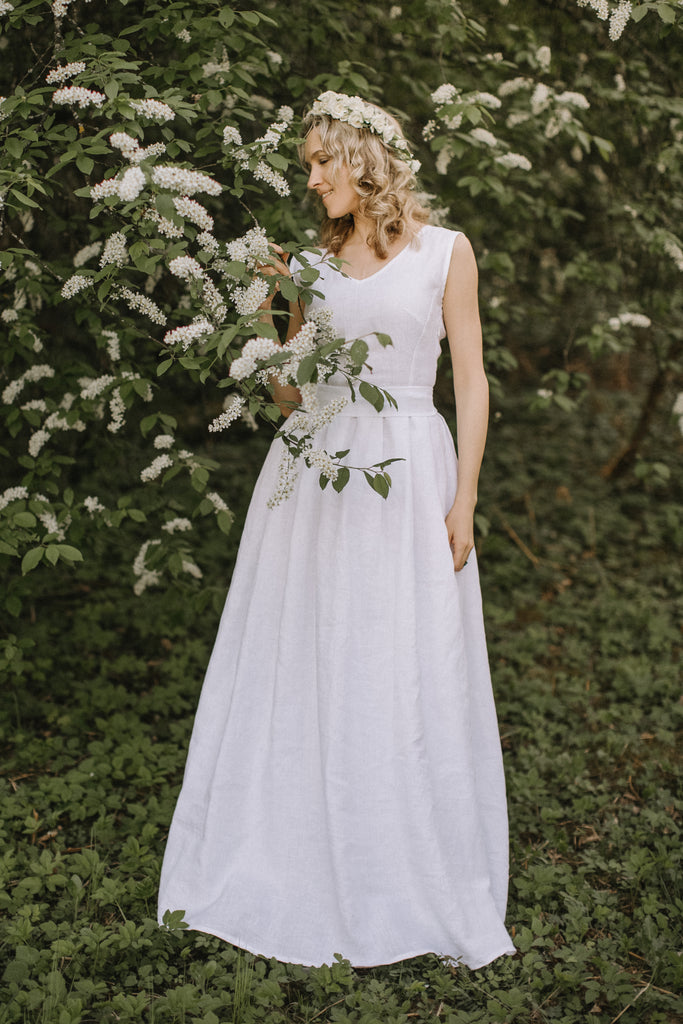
[(345, 791)]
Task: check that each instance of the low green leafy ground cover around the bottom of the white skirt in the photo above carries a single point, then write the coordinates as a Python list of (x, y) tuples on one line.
[(584, 598)]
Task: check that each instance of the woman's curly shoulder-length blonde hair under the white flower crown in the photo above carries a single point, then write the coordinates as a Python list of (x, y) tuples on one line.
[(383, 180)]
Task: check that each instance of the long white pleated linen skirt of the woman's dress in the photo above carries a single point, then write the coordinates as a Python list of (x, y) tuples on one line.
[(345, 789)]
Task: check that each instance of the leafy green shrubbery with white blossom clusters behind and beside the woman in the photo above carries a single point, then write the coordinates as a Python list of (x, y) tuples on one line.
[(145, 165)]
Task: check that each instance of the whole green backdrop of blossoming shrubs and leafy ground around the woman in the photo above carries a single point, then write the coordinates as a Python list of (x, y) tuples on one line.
[(146, 149)]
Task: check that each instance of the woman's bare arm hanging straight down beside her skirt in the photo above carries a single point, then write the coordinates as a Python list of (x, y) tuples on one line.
[(461, 316)]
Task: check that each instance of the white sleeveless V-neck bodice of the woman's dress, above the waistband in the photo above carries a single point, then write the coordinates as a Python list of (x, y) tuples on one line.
[(403, 300)]
